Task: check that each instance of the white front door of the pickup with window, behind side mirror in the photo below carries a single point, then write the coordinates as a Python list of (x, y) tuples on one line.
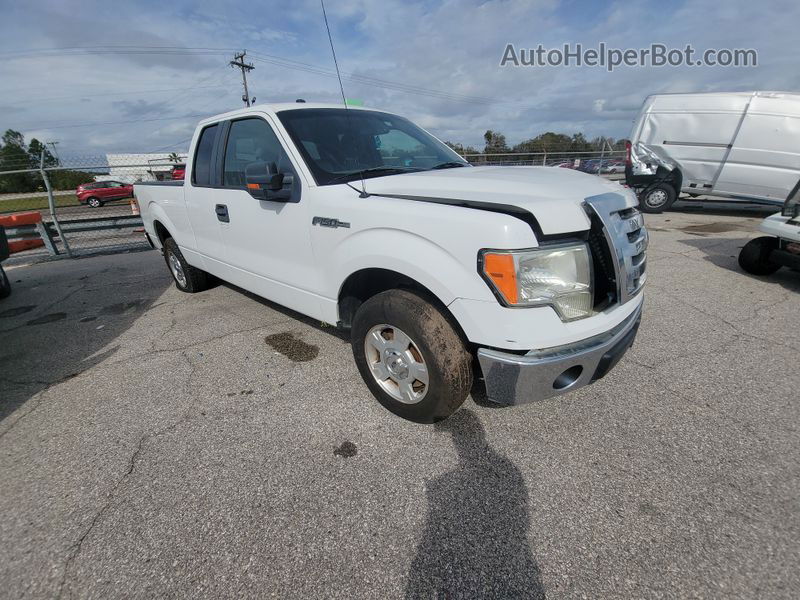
[(267, 243)]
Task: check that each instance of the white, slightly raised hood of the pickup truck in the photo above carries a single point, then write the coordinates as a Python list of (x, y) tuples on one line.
[(554, 196)]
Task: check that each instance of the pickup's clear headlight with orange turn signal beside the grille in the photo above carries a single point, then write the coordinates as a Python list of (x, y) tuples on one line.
[(559, 276)]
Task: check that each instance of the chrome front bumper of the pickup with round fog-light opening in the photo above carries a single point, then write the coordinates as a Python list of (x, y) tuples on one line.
[(540, 374)]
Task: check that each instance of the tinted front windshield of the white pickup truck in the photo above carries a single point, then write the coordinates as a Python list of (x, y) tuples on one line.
[(341, 145)]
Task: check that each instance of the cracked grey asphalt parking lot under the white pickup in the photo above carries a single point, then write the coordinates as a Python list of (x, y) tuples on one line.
[(155, 443)]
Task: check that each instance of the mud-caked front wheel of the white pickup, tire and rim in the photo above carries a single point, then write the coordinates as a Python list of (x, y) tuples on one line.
[(410, 356)]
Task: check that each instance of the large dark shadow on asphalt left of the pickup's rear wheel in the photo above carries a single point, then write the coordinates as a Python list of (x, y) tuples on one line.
[(62, 318)]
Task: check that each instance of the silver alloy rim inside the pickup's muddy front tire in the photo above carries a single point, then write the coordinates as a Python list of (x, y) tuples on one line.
[(396, 363)]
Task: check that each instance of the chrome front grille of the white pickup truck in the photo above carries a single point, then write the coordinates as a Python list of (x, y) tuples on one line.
[(626, 236)]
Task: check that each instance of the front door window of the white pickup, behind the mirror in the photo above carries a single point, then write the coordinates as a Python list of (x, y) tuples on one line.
[(251, 140)]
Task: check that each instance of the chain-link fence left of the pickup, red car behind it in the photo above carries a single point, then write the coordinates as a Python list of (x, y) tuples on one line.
[(80, 205)]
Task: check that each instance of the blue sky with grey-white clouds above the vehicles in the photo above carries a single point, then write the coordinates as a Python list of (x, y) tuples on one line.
[(136, 76)]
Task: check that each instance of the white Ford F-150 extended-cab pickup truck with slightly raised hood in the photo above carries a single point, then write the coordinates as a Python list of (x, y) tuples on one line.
[(530, 276)]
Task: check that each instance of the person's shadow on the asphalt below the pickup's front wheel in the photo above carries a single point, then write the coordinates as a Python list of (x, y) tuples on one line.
[(475, 540)]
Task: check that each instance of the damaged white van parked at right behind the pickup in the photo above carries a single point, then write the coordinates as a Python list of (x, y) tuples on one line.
[(742, 146)]
